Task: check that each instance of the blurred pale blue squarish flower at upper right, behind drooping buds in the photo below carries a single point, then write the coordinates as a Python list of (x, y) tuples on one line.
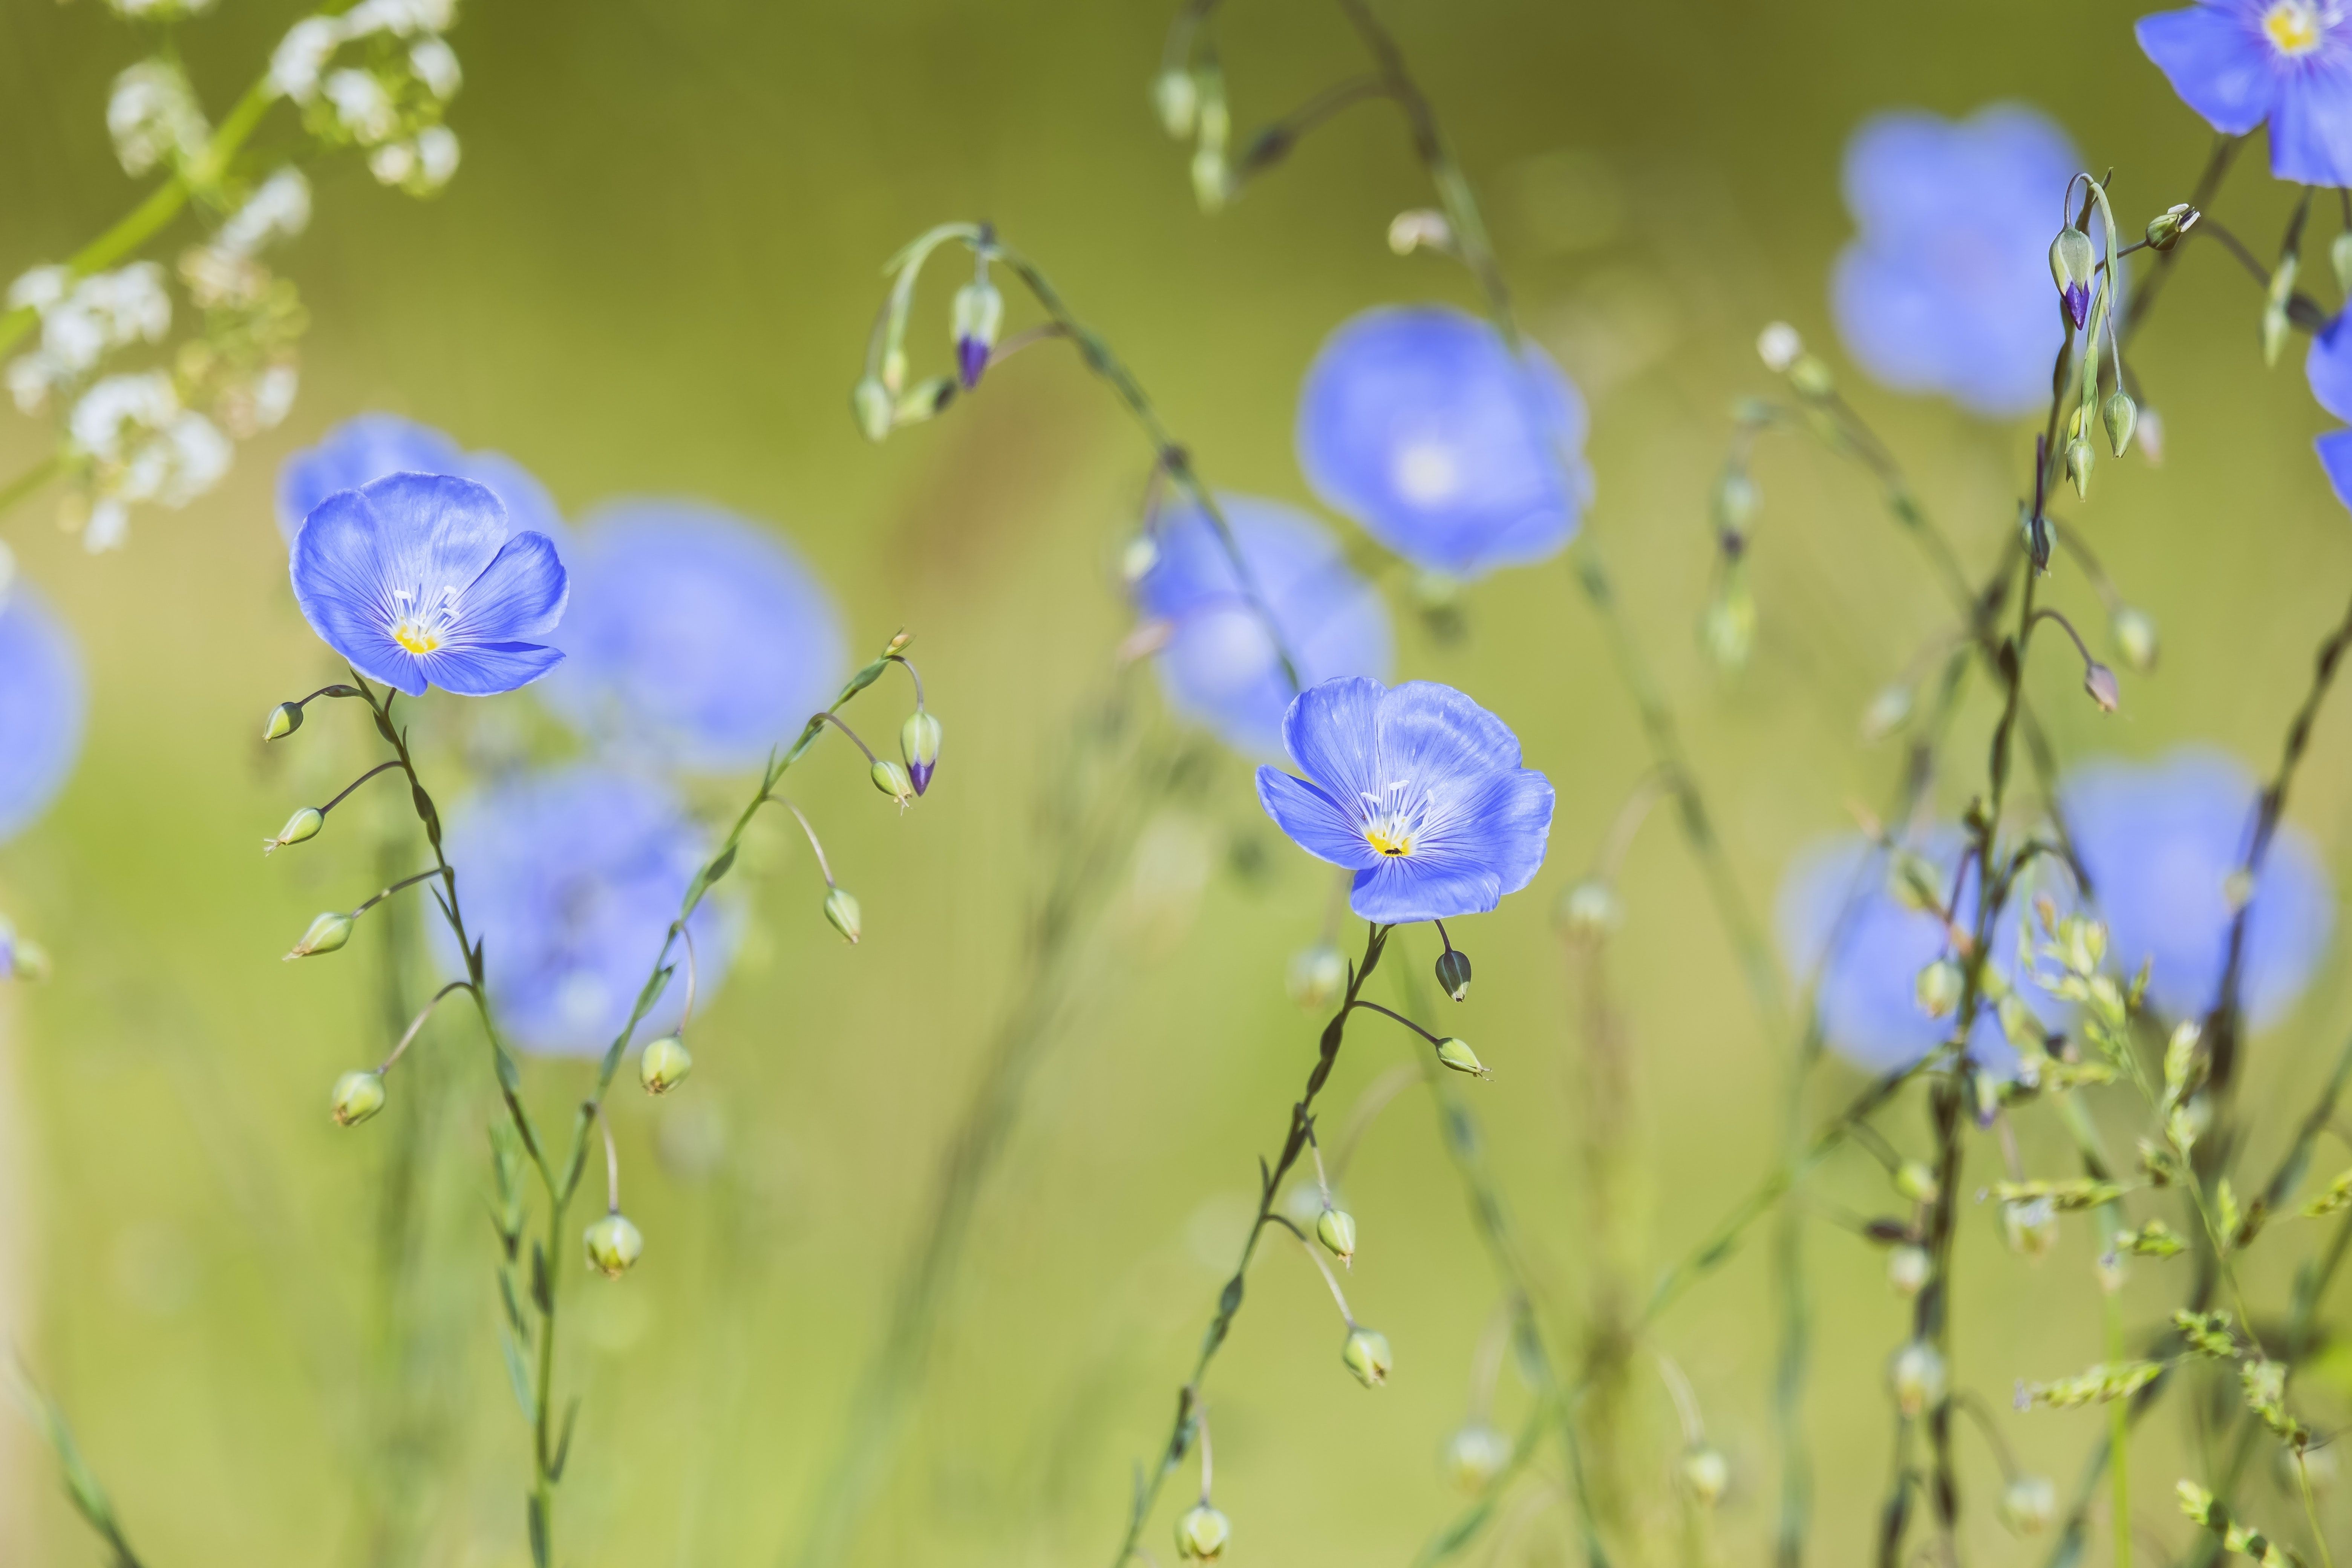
[(1946, 286)]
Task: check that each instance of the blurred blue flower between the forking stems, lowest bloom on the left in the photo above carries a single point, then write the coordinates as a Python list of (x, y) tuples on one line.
[(570, 883)]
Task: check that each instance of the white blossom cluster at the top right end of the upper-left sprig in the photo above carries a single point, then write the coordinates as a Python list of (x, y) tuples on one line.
[(392, 100)]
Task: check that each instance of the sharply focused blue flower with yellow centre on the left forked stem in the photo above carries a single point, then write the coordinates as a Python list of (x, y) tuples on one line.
[(417, 582)]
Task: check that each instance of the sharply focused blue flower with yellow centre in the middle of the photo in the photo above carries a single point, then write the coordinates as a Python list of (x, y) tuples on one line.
[(1417, 791)]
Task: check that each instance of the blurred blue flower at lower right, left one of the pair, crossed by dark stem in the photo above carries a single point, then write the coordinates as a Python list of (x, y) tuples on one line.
[(1862, 946)]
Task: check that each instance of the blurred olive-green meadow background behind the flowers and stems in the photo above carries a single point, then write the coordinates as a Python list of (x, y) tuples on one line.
[(655, 276)]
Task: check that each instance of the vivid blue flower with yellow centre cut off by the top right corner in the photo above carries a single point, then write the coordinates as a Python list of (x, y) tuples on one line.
[(2245, 62)]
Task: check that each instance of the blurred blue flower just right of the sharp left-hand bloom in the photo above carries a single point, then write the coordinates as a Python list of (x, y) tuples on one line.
[(695, 636)]
